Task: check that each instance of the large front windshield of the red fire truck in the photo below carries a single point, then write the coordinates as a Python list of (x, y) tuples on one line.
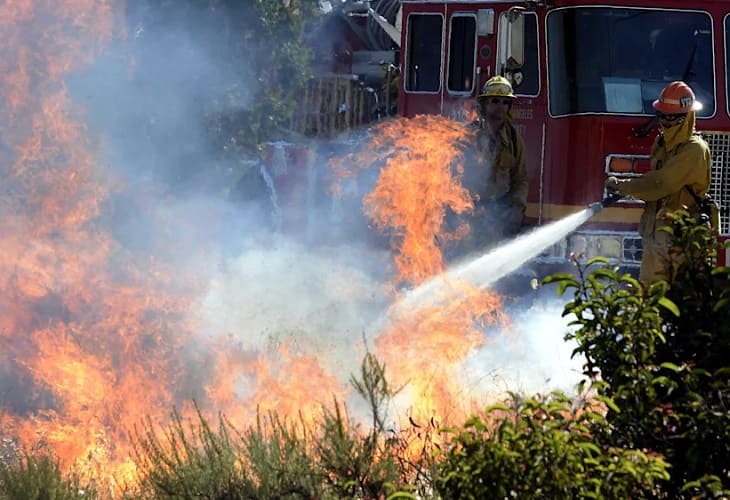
[(617, 60)]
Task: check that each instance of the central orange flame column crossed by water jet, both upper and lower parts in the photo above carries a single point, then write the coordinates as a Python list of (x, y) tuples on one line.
[(419, 180)]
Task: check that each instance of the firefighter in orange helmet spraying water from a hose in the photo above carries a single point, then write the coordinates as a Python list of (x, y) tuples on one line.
[(679, 158)]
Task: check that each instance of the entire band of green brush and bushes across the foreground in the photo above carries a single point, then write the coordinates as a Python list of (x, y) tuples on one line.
[(653, 421)]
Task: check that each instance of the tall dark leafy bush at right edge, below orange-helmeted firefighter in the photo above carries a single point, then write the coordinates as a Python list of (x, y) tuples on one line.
[(660, 352)]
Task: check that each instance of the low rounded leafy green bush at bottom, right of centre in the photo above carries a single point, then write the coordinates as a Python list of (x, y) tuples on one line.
[(543, 447)]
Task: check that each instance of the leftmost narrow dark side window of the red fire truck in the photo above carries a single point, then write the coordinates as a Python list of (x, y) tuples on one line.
[(423, 56)]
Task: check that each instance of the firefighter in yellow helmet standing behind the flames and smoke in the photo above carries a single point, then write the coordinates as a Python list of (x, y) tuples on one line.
[(494, 169)]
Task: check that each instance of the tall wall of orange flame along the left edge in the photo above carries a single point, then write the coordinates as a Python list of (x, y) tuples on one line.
[(82, 320)]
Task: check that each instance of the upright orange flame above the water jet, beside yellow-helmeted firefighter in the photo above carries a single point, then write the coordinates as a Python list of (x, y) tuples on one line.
[(418, 182)]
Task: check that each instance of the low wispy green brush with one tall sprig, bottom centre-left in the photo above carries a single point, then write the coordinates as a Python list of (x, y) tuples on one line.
[(275, 459)]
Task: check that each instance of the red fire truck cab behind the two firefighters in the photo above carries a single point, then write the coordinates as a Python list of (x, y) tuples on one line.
[(585, 73)]
